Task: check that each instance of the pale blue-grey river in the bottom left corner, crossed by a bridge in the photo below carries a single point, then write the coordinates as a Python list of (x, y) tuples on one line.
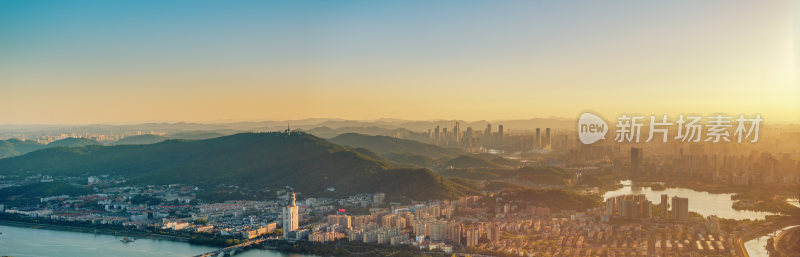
[(19, 241)]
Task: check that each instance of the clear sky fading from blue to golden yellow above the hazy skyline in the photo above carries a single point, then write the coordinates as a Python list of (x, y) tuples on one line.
[(75, 62)]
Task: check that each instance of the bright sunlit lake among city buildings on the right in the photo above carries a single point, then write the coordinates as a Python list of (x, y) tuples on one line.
[(704, 203)]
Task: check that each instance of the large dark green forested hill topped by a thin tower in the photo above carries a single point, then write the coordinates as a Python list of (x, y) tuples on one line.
[(302, 161)]
